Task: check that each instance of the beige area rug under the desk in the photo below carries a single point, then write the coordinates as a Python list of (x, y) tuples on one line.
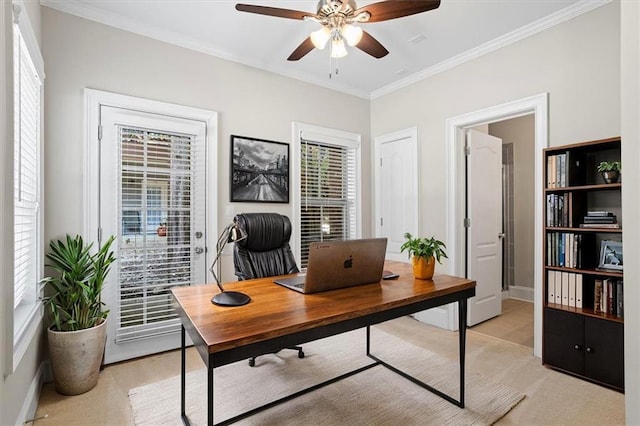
[(374, 397)]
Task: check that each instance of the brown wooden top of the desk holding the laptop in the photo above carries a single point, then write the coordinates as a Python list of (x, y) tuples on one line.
[(276, 311)]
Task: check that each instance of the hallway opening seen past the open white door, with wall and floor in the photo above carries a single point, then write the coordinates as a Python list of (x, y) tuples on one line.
[(515, 323)]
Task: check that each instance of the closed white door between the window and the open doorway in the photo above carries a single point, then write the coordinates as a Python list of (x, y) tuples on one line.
[(396, 189)]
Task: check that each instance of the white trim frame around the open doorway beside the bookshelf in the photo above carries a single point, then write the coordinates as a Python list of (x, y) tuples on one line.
[(456, 126)]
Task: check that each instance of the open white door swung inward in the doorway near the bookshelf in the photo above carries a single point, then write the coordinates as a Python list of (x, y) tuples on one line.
[(484, 203)]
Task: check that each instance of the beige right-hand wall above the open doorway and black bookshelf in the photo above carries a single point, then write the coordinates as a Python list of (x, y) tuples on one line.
[(577, 63)]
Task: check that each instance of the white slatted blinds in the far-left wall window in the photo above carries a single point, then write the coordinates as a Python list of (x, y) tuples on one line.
[(27, 109)]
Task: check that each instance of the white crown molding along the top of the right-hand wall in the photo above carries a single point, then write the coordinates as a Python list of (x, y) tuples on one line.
[(536, 27)]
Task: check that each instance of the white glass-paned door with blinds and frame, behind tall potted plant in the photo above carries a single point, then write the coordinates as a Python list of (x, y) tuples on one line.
[(152, 198)]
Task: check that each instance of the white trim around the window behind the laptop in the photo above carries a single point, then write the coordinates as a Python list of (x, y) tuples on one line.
[(328, 136)]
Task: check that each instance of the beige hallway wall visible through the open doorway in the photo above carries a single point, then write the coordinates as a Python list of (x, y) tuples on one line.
[(520, 132)]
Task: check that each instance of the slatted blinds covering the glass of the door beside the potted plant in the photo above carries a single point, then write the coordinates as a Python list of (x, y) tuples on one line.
[(157, 173)]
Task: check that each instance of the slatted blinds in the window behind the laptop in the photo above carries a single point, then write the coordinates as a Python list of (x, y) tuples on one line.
[(328, 194)]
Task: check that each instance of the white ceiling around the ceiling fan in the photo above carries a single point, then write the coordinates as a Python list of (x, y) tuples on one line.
[(455, 32)]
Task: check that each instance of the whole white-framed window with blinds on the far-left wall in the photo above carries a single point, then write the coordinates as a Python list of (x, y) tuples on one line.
[(27, 167)]
